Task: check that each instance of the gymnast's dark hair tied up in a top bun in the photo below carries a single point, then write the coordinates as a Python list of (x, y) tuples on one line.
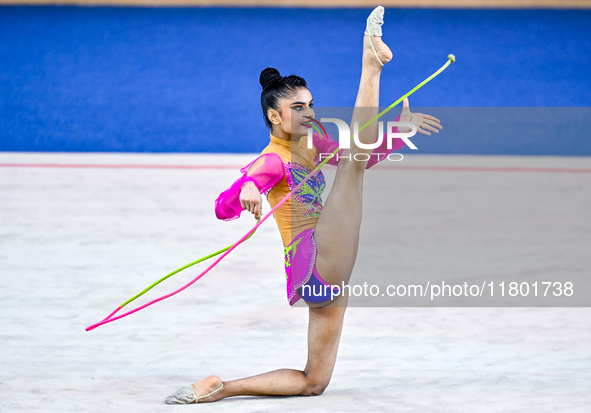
[(275, 88)]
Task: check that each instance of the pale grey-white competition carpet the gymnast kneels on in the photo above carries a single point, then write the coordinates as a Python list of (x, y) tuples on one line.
[(76, 242)]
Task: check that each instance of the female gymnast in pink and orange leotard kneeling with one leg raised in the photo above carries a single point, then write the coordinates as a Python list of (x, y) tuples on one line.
[(320, 241)]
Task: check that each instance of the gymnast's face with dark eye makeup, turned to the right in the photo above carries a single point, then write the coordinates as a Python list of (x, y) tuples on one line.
[(292, 114)]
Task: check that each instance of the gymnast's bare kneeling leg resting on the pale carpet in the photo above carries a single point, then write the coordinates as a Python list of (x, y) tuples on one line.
[(324, 334)]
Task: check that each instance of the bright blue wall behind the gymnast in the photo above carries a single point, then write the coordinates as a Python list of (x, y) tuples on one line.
[(186, 79)]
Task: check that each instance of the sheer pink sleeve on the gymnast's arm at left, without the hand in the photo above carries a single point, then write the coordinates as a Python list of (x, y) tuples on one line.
[(265, 176)]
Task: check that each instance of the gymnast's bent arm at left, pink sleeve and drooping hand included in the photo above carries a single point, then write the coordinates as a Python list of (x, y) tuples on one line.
[(258, 176)]
